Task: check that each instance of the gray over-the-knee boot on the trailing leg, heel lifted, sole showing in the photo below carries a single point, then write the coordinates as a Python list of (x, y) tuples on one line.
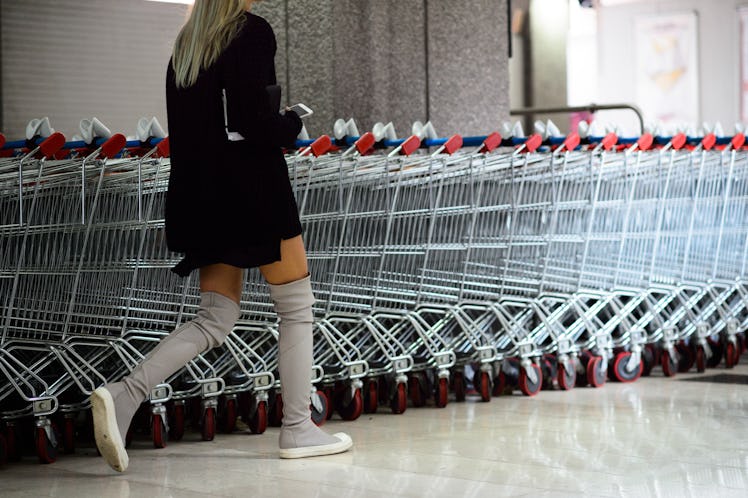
[(114, 405)]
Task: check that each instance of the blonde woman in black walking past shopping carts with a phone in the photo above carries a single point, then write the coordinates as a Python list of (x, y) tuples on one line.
[(229, 206)]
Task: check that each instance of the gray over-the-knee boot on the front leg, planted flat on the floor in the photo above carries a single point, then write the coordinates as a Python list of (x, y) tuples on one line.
[(299, 436)]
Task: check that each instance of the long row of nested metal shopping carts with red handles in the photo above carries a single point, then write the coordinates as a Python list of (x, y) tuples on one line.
[(439, 265)]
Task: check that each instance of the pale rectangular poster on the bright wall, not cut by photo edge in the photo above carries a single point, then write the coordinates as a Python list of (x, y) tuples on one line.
[(667, 73)]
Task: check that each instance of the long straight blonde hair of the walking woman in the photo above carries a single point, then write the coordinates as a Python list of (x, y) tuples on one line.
[(211, 26)]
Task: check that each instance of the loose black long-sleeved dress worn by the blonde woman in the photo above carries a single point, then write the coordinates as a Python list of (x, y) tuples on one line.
[(230, 201)]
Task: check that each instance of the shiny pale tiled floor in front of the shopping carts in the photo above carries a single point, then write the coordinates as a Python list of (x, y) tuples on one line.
[(656, 437)]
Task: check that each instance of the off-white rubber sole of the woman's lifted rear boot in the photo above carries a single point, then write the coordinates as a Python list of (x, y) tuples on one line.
[(108, 439)]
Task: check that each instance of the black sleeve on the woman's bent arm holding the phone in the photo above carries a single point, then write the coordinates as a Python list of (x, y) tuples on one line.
[(245, 75)]
